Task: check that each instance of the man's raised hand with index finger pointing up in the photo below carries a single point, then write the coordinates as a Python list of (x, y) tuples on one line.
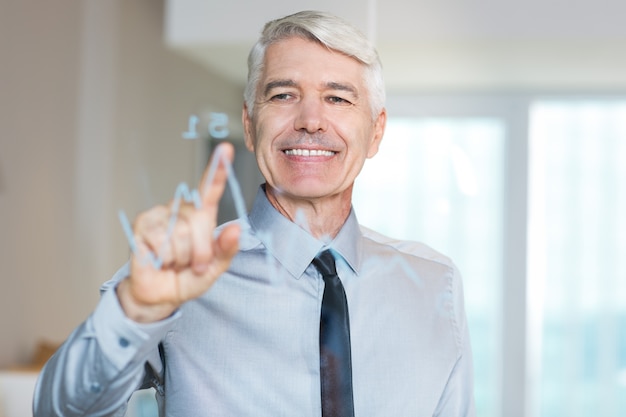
[(192, 256)]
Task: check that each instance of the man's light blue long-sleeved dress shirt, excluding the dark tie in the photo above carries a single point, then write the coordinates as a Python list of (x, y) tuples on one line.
[(249, 345)]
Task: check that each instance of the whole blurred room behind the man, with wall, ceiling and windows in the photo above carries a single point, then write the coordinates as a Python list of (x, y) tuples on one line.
[(505, 149)]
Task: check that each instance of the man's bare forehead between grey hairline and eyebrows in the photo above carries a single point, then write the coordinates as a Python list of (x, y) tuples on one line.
[(306, 61)]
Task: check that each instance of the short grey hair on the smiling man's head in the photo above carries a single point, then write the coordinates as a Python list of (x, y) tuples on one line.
[(328, 30)]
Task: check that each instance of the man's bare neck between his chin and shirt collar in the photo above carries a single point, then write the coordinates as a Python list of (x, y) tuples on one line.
[(323, 216)]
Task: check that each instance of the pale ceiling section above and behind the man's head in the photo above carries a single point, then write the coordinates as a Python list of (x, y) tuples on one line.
[(435, 45)]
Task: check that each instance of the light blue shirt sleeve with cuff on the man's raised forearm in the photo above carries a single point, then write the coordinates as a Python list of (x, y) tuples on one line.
[(101, 364)]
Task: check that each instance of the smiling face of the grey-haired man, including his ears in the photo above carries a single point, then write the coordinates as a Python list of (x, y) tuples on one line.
[(312, 125)]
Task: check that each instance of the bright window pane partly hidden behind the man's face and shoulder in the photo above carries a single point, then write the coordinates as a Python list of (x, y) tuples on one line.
[(439, 181)]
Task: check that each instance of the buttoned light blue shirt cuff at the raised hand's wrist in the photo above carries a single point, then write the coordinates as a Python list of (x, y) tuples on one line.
[(121, 339)]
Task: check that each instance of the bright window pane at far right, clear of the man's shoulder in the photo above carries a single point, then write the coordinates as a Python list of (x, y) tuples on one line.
[(577, 262)]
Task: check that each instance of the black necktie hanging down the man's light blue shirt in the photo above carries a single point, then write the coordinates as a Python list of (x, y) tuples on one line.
[(335, 360)]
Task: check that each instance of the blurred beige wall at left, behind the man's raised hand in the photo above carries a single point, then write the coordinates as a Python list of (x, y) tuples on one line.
[(92, 107)]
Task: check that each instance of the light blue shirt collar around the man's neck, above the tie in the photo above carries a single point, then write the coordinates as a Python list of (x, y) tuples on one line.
[(293, 246)]
